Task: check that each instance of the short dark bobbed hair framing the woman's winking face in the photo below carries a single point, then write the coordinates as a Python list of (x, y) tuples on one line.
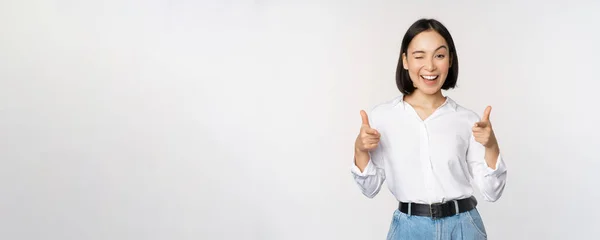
[(403, 81)]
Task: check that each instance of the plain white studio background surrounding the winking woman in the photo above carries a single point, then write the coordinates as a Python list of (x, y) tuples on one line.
[(172, 119)]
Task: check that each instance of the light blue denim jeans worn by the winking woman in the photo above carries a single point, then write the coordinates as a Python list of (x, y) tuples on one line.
[(466, 226)]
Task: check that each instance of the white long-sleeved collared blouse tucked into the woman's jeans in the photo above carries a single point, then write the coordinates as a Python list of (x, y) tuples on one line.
[(430, 161)]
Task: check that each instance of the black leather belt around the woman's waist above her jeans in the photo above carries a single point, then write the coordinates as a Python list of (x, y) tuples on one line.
[(439, 210)]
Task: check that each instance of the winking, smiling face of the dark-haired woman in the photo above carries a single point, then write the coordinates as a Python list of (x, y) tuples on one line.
[(427, 61)]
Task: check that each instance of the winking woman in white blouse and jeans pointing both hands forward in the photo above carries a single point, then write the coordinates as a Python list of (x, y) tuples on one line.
[(429, 148)]
